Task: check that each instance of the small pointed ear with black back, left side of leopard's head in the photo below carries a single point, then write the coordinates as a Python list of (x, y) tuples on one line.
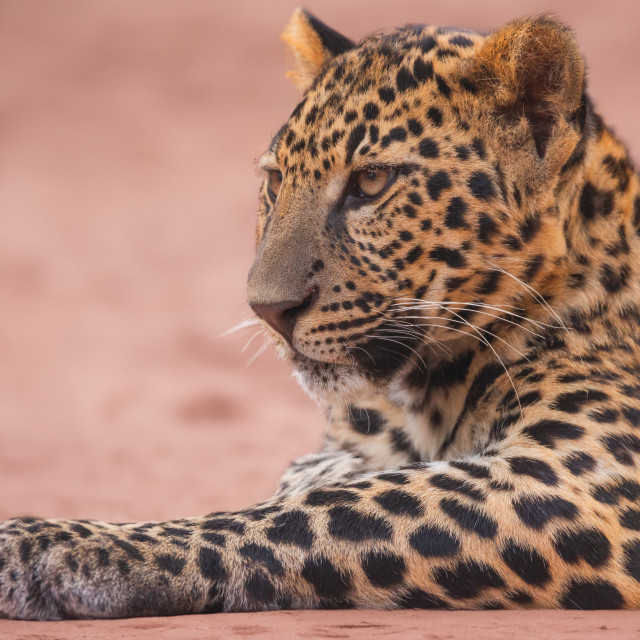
[(313, 43)]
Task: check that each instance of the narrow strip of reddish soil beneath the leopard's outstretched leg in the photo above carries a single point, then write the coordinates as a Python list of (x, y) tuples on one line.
[(357, 625)]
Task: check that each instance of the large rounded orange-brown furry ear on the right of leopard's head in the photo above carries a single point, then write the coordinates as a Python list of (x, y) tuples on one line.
[(532, 67)]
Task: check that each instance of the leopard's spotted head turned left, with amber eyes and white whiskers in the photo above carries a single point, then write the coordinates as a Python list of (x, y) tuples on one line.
[(409, 187)]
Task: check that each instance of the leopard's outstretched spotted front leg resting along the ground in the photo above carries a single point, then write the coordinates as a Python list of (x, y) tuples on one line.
[(508, 531)]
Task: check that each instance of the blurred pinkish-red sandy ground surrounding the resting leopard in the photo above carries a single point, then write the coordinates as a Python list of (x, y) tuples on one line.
[(127, 198)]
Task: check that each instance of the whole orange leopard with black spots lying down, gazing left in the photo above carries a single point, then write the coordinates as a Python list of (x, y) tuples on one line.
[(447, 253)]
